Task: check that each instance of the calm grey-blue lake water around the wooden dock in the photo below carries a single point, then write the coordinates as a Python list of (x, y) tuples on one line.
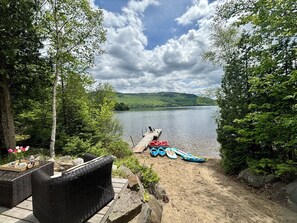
[(192, 129)]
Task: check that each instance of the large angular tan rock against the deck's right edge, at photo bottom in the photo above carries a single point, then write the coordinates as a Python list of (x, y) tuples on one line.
[(126, 207)]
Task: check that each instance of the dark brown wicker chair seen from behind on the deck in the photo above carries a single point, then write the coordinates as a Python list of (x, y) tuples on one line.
[(76, 195)]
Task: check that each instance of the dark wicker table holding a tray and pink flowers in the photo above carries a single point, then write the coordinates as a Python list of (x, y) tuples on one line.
[(16, 186)]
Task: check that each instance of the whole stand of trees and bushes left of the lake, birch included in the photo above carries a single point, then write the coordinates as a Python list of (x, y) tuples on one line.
[(46, 50)]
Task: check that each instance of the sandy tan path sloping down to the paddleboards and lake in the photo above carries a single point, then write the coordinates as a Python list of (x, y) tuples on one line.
[(200, 193)]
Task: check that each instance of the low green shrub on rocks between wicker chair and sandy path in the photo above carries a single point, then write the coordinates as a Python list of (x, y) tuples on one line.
[(148, 176)]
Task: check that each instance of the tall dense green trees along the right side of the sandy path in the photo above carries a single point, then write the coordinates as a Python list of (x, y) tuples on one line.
[(255, 42)]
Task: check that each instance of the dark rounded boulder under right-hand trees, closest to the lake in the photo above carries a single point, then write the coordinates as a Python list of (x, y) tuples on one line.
[(252, 179)]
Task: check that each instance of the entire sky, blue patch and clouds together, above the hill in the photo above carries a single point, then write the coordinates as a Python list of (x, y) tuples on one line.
[(156, 45)]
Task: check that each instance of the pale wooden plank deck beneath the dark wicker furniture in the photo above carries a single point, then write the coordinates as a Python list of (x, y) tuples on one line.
[(23, 212)]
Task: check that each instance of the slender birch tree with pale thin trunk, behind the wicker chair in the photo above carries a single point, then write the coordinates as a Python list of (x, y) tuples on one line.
[(74, 32)]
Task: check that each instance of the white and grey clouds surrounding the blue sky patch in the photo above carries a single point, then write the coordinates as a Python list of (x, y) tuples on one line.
[(174, 66)]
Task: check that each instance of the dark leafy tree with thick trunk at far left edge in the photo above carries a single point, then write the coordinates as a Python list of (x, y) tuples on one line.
[(23, 73)]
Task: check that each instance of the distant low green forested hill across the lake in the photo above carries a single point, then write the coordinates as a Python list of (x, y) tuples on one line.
[(162, 99)]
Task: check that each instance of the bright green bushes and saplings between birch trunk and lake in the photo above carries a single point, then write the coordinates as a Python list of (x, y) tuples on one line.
[(87, 126)]
